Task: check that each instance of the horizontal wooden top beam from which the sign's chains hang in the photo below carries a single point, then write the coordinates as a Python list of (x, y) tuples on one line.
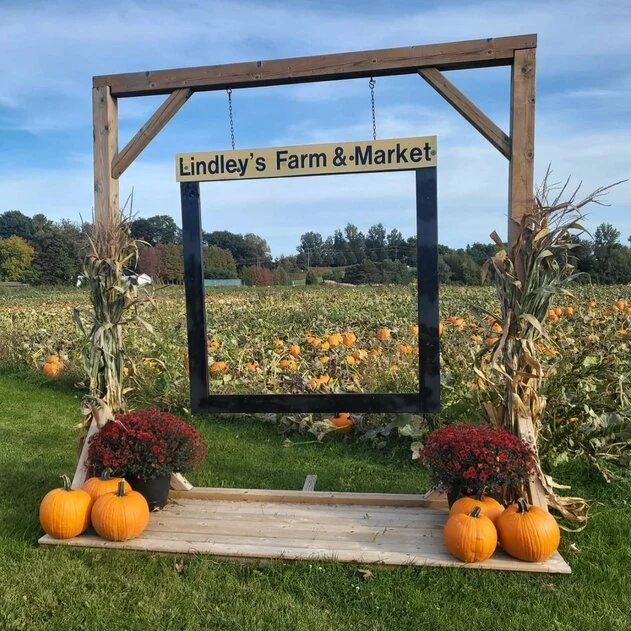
[(390, 61)]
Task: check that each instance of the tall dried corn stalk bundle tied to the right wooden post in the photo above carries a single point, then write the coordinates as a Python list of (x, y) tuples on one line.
[(527, 279)]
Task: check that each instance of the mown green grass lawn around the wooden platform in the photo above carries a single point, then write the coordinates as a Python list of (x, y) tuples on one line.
[(61, 588)]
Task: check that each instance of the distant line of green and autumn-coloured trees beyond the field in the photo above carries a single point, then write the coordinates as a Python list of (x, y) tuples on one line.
[(40, 251)]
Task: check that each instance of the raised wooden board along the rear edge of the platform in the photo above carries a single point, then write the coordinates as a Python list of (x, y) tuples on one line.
[(311, 497)]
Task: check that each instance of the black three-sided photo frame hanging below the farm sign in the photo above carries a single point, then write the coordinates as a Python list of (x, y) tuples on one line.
[(425, 401)]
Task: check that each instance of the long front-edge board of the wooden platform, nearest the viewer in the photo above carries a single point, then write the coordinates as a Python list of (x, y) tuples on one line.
[(499, 561)]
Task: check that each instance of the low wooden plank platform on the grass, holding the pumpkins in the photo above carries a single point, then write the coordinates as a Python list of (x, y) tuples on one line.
[(390, 529)]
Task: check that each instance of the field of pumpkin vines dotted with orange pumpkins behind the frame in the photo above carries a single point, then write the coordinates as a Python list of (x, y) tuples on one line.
[(323, 339)]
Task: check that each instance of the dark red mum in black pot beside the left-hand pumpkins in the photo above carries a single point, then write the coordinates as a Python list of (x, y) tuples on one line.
[(145, 447)]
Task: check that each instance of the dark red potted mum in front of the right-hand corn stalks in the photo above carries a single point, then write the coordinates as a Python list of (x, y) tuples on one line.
[(467, 459)]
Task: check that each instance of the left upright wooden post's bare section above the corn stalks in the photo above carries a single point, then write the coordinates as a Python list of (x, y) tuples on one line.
[(105, 117)]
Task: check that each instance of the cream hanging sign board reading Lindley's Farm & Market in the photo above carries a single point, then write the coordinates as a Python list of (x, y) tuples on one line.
[(397, 154)]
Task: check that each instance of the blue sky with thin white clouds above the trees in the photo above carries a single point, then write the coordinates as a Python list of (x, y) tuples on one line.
[(50, 50)]
